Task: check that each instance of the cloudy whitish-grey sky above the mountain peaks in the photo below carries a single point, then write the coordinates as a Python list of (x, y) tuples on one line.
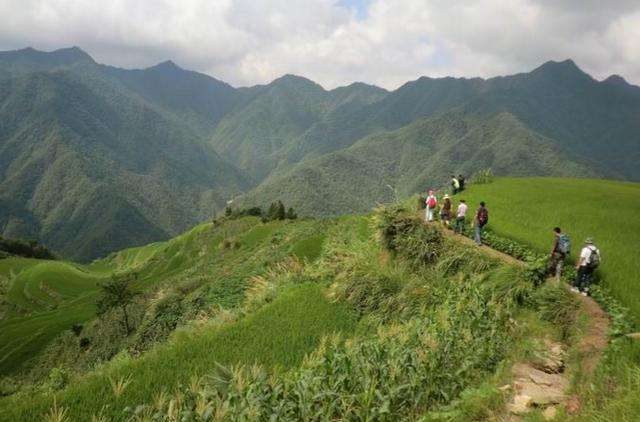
[(335, 42)]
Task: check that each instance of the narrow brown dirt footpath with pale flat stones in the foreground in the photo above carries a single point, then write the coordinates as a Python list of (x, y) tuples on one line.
[(543, 385)]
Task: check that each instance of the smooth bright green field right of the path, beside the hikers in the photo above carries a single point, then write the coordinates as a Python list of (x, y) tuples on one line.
[(528, 209)]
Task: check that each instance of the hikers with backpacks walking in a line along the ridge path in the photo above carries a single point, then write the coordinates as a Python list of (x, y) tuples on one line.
[(586, 263)]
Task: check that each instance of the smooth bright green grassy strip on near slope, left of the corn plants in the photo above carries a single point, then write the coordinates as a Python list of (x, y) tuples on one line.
[(279, 334)]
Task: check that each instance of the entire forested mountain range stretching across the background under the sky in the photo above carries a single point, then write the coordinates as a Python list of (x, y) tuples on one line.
[(95, 158)]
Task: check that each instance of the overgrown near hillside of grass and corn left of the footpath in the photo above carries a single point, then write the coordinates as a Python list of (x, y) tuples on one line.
[(267, 314)]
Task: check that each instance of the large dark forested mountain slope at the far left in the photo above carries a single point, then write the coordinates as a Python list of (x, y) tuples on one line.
[(89, 167)]
